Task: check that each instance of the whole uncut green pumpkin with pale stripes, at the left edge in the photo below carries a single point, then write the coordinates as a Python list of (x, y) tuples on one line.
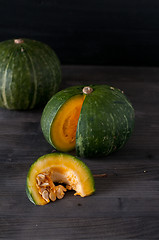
[(30, 74)]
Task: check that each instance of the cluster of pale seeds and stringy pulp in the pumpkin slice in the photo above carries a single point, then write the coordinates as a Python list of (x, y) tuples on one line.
[(47, 188)]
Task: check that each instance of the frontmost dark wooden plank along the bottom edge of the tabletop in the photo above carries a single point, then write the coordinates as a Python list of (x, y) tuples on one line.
[(81, 228)]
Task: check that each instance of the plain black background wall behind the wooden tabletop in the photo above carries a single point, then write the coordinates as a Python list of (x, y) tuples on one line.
[(103, 32)]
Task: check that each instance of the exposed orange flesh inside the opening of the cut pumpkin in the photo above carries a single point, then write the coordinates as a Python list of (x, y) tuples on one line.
[(63, 129)]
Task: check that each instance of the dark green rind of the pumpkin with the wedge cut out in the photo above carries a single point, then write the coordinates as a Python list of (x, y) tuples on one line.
[(105, 124)]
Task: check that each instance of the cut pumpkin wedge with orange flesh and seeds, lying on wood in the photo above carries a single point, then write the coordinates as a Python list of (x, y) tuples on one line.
[(49, 172)]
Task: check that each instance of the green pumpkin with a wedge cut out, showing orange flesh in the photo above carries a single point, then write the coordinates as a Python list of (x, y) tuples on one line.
[(96, 120)]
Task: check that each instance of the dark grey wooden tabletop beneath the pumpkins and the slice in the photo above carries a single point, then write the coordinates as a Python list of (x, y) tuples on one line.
[(126, 202)]
